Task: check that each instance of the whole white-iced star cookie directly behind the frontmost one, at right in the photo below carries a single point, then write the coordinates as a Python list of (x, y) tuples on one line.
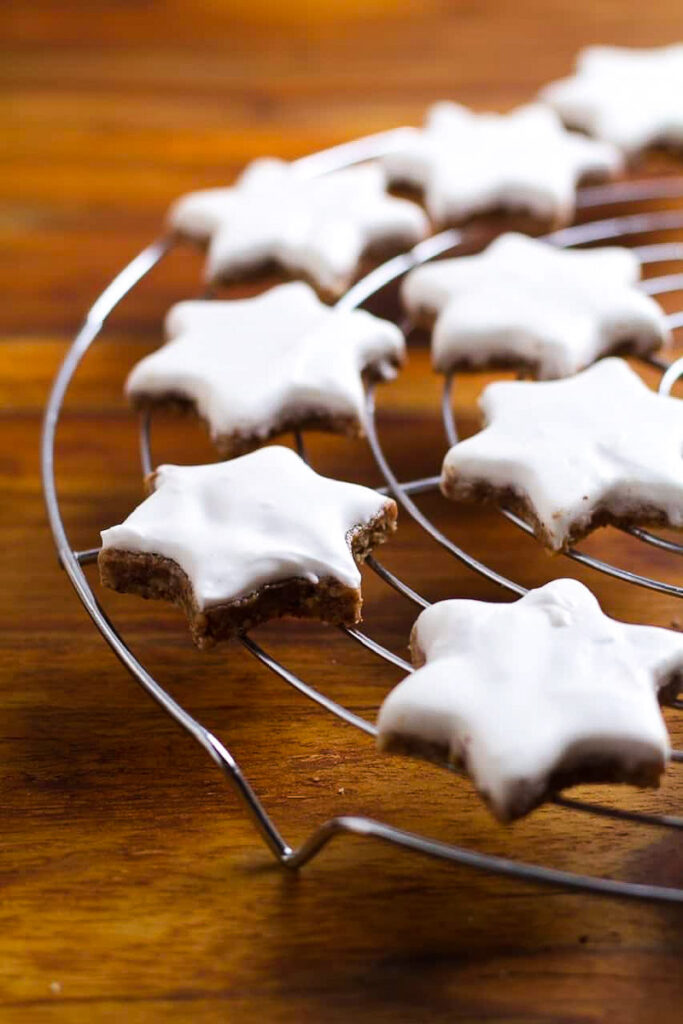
[(569, 456)]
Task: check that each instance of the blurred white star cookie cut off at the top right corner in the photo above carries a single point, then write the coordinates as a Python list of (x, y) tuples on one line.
[(630, 98)]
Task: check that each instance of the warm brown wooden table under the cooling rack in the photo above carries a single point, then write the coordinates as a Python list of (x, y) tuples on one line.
[(134, 887)]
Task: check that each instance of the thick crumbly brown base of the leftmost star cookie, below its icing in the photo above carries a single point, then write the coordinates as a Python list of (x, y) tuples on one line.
[(155, 577)]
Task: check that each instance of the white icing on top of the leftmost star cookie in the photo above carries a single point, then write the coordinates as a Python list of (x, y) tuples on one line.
[(235, 527)]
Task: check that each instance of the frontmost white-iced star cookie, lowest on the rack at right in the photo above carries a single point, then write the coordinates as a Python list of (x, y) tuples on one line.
[(537, 696)]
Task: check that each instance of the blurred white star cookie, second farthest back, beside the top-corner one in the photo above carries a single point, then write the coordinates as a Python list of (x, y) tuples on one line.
[(476, 163)]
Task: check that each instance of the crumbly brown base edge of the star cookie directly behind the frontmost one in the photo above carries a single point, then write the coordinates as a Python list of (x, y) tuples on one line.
[(485, 493)]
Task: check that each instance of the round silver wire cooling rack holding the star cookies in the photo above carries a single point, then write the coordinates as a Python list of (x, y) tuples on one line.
[(619, 228)]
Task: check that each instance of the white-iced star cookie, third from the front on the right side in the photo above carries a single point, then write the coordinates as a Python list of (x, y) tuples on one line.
[(528, 305)]
